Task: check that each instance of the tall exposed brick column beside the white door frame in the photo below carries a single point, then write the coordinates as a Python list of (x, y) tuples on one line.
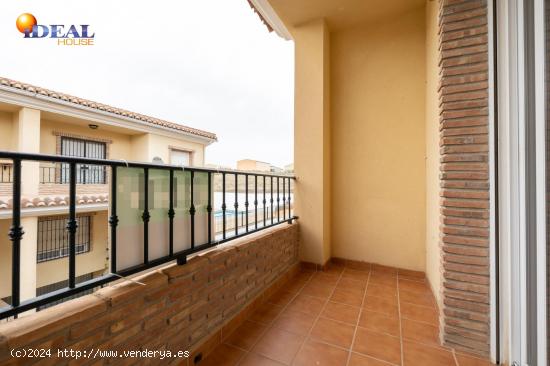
[(464, 150)]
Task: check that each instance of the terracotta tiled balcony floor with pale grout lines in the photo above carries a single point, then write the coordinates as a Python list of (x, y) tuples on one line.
[(343, 317)]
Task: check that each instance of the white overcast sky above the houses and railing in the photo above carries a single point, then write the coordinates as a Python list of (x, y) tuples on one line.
[(209, 64)]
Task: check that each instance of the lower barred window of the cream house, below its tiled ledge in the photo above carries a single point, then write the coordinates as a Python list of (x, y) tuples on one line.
[(53, 237)]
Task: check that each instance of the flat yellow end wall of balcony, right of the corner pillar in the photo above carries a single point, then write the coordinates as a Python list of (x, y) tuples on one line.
[(378, 77)]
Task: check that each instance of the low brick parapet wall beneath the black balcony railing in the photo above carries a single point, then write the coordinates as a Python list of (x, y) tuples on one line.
[(188, 307)]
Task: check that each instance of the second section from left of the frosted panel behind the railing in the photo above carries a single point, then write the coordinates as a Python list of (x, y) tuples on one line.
[(159, 203)]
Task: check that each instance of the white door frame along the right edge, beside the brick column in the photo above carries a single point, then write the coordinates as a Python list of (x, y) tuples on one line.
[(513, 167)]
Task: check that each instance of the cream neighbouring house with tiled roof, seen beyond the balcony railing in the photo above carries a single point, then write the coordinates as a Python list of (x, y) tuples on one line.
[(36, 120)]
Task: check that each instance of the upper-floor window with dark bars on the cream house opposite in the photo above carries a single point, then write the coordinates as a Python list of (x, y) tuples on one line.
[(85, 174)]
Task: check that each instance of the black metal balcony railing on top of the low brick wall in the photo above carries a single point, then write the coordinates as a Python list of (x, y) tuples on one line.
[(282, 214)]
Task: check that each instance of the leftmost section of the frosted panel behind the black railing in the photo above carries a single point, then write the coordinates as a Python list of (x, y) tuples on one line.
[(129, 211)]
